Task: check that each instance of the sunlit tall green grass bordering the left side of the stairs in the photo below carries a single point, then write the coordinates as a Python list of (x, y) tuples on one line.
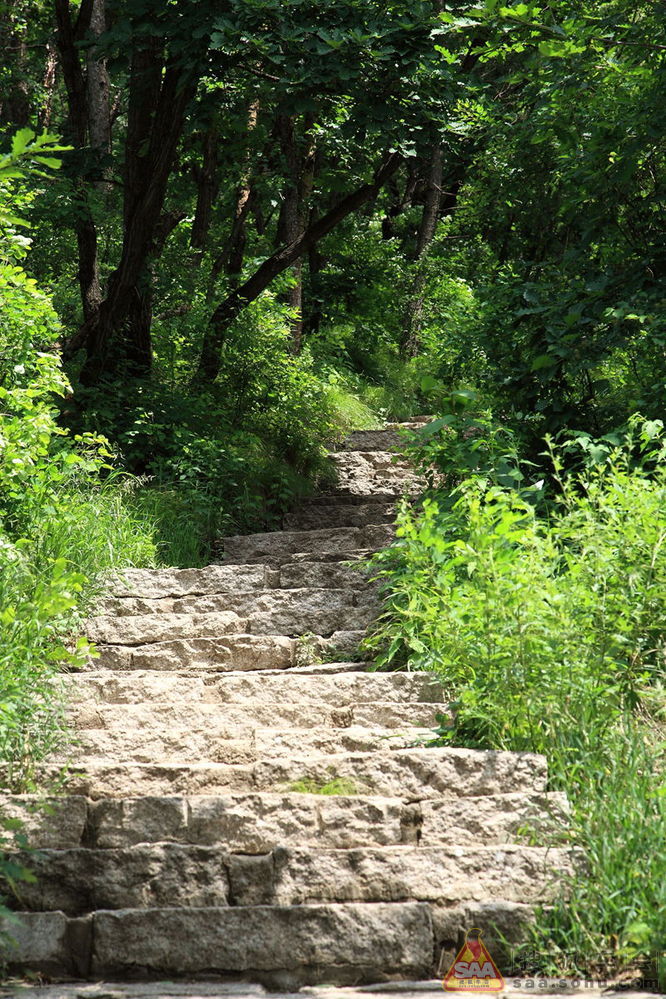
[(47, 582)]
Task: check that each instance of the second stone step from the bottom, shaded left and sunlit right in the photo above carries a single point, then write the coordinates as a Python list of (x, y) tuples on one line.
[(82, 880)]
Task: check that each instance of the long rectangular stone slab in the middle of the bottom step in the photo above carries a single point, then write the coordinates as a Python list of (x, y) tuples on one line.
[(298, 945)]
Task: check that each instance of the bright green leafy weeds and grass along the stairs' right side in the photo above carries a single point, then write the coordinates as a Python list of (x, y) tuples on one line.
[(545, 614)]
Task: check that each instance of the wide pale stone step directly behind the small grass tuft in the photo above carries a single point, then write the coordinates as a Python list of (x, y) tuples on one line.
[(409, 773)]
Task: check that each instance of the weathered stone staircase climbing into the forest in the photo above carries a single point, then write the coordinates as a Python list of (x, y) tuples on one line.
[(247, 802)]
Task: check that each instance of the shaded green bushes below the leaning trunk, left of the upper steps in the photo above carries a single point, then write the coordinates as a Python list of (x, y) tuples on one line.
[(224, 459)]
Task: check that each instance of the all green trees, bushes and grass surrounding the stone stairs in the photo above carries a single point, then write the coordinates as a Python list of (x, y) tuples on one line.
[(230, 232)]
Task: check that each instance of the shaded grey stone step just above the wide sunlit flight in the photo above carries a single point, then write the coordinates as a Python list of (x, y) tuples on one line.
[(280, 545)]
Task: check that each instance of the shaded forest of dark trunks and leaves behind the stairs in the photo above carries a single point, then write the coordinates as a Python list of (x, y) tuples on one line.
[(273, 215)]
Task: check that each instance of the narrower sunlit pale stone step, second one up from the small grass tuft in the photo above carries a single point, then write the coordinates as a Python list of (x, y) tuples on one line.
[(144, 734)]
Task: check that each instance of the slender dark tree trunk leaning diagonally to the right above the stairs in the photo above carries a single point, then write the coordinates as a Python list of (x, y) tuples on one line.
[(278, 262)]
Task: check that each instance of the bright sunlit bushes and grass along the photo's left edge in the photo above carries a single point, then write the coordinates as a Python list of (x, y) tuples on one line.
[(61, 527)]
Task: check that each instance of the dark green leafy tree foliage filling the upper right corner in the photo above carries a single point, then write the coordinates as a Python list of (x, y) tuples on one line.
[(567, 191)]
